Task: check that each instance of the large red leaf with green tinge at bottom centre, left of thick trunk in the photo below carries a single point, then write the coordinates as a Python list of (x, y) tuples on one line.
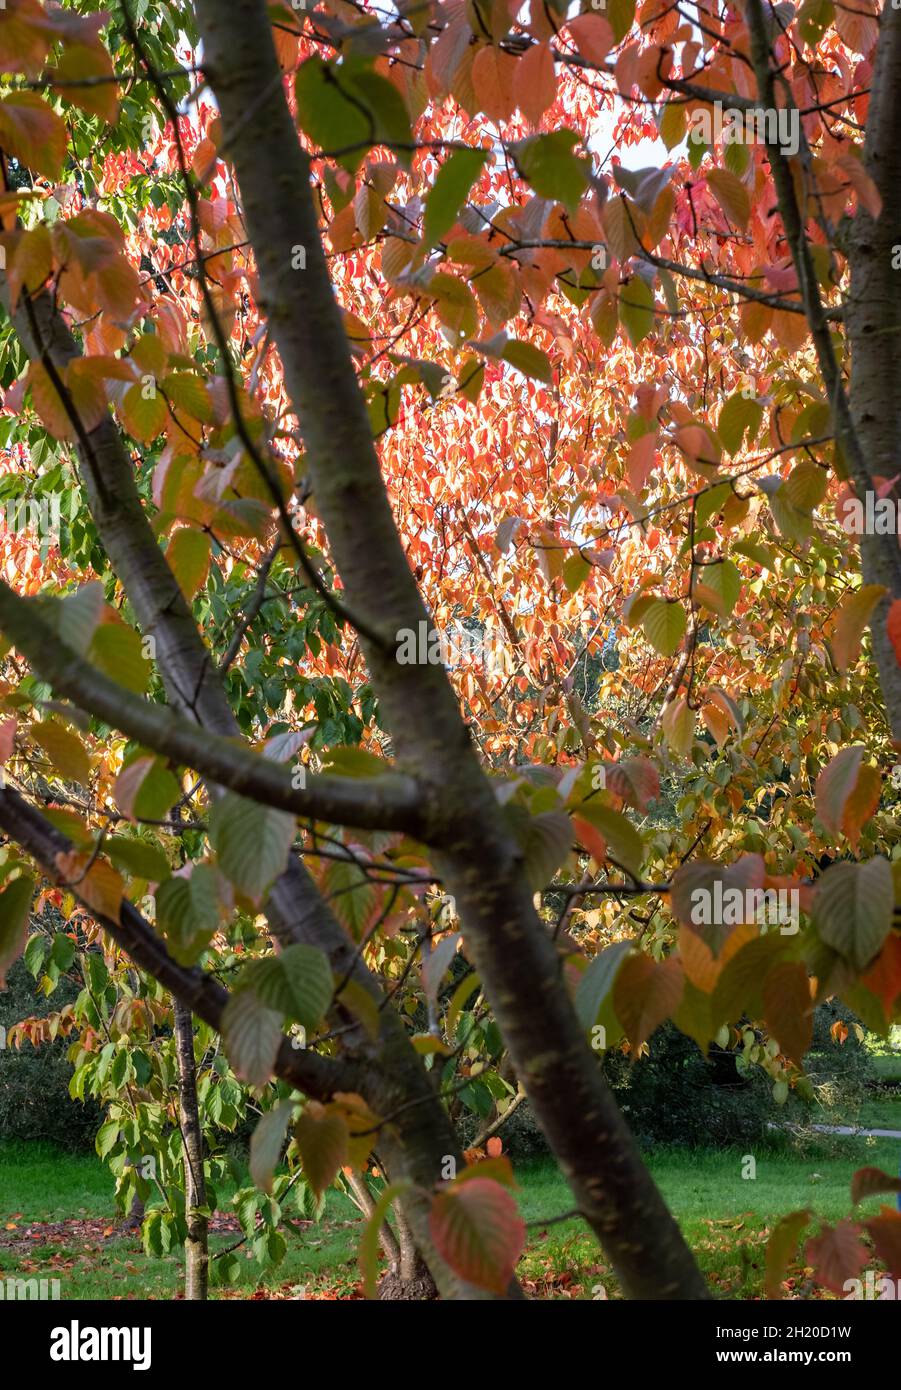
[(479, 1231)]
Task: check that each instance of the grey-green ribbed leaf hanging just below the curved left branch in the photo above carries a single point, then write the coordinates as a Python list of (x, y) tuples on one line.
[(252, 843)]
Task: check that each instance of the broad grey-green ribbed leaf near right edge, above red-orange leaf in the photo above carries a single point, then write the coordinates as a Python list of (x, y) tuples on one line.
[(853, 910)]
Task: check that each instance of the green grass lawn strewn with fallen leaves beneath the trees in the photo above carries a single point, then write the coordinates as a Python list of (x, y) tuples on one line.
[(725, 1218)]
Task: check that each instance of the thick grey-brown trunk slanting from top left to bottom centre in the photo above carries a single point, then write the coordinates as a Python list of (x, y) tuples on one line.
[(479, 860)]
